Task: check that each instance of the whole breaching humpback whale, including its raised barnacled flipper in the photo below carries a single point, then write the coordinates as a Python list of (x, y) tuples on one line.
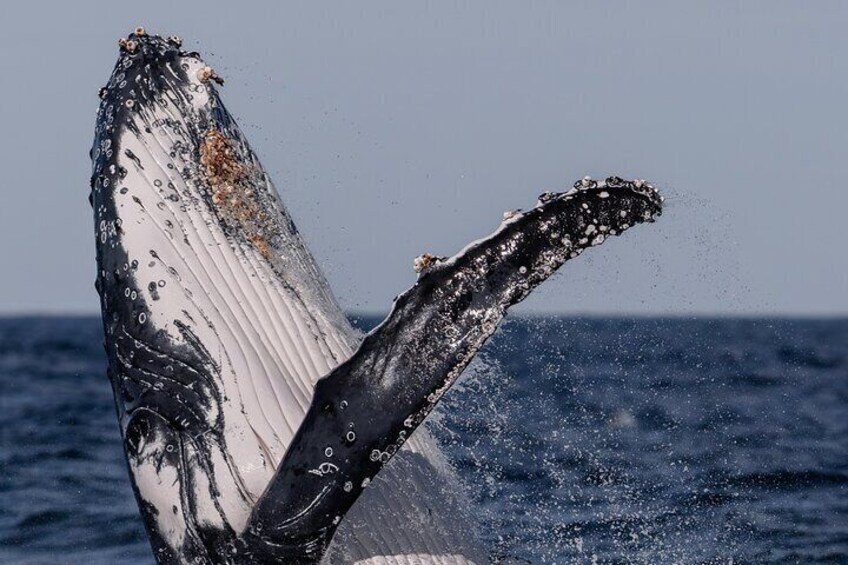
[(258, 425)]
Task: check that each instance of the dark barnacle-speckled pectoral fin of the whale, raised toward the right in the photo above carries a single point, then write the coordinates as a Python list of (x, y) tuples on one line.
[(365, 409)]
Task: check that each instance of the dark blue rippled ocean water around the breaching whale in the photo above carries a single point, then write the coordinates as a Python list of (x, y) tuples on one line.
[(581, 440)]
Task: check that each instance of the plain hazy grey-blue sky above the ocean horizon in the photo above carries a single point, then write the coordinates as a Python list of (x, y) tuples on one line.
[(393, 128)]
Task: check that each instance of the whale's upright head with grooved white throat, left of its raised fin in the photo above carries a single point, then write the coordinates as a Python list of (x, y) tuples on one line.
[(217, 319)]
